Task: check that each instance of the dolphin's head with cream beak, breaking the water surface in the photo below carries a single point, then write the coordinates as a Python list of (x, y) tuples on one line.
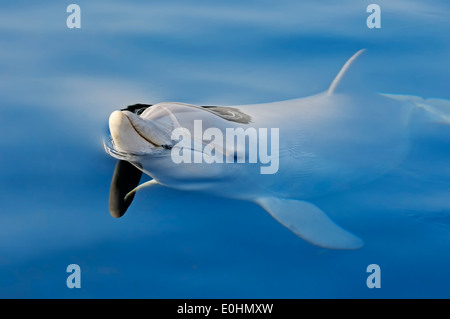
[(142, 134)]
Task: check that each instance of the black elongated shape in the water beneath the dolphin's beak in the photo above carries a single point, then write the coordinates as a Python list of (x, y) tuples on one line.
[(126, 177)]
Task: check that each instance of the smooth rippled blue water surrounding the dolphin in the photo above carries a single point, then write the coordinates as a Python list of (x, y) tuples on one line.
[(59, 85)]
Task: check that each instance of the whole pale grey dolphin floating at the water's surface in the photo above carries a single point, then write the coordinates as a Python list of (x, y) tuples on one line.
[(328, 142)]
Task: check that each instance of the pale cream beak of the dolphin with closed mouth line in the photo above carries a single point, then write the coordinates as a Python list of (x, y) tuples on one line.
[(131, 133)]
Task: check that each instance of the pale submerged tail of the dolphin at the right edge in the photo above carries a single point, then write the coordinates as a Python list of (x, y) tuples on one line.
[(437, 109)]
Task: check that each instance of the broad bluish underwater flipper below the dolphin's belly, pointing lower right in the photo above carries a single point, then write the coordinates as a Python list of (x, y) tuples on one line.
[(310, 223)]
